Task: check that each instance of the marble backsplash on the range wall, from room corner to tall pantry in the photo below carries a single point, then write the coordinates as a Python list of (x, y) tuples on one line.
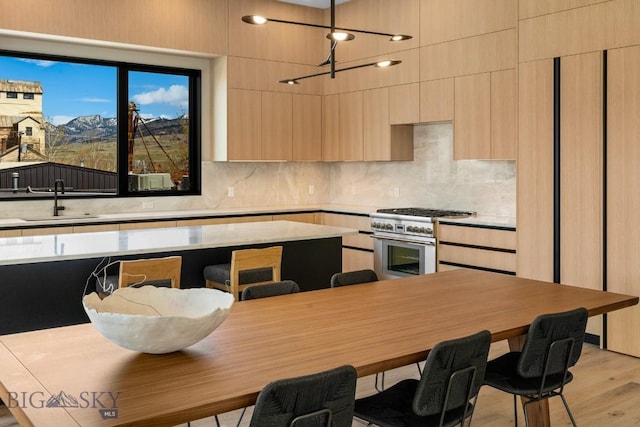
[(432, 180)]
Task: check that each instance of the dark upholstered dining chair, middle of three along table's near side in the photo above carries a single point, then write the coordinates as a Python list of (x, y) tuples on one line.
[(445, 395)]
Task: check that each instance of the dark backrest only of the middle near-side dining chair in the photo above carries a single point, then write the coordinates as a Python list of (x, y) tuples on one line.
[(452, 374)]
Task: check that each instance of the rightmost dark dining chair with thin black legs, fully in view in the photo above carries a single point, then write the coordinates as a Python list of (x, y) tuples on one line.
[(541, 370)]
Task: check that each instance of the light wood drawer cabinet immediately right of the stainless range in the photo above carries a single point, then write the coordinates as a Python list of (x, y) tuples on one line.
[(476, 247)]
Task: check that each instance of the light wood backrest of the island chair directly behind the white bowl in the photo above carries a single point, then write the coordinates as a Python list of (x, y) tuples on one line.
[(150, 270)]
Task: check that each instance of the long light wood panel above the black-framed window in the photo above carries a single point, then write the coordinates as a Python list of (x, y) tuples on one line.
[(190, 26)]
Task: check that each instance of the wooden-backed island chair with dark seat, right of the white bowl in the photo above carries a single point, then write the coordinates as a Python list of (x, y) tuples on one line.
[(247, 267)]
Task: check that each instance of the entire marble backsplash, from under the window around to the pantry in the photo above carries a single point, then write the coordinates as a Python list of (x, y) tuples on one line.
[(433, 179)]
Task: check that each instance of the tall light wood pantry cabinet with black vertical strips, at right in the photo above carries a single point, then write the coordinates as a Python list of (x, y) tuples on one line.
[(579, 165)]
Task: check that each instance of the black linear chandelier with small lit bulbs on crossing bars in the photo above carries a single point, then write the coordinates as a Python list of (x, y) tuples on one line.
[(336, 35)]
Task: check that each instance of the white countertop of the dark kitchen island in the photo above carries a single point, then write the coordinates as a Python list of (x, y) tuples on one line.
[(33, 249)]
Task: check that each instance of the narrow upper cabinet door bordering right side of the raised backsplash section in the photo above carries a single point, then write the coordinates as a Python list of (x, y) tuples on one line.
[(472, 117)]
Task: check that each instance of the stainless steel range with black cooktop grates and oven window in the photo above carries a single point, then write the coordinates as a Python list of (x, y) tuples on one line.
[(404, 241)]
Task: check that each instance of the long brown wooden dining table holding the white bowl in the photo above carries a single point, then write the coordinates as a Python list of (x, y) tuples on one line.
[(374, 327)]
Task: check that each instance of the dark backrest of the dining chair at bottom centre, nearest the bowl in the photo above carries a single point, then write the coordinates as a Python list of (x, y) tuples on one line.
[(282, 401)]
